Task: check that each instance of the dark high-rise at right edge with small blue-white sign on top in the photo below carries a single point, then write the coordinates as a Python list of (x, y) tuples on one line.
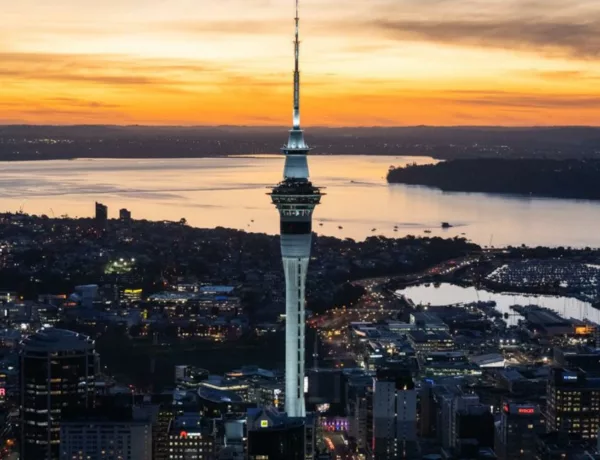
[(573, 405)]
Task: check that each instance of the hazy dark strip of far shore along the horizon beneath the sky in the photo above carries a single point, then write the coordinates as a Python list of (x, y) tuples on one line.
[(29, 142)]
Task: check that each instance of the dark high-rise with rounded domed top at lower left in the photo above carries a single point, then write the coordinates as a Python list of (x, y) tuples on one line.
[(57, 373)]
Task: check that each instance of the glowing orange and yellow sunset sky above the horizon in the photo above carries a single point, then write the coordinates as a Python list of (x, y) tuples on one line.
[(364, 62)]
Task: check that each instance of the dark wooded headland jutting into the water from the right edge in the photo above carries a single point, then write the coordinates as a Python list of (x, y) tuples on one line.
[(576, 179)]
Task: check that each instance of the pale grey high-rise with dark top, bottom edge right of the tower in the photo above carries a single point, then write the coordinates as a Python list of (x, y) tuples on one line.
[(394, 413)]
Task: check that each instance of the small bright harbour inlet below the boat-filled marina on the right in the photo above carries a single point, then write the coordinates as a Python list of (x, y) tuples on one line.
[(450, 294)]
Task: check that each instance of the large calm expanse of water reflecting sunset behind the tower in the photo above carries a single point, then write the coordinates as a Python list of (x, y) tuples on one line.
[(231, 192)]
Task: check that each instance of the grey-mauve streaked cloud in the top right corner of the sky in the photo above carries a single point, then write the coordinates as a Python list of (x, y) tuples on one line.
[(564, 28)]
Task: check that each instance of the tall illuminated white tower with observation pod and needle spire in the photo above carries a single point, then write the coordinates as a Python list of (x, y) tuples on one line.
[(295, 198)]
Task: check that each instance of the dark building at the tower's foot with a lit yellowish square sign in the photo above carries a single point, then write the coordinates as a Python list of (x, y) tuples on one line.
[(273, 435)]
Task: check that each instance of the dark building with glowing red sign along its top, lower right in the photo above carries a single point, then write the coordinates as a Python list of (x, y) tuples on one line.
[(516, 433)]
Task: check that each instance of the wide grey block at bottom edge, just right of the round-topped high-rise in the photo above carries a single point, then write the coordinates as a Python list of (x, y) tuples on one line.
[(101, 438)]
